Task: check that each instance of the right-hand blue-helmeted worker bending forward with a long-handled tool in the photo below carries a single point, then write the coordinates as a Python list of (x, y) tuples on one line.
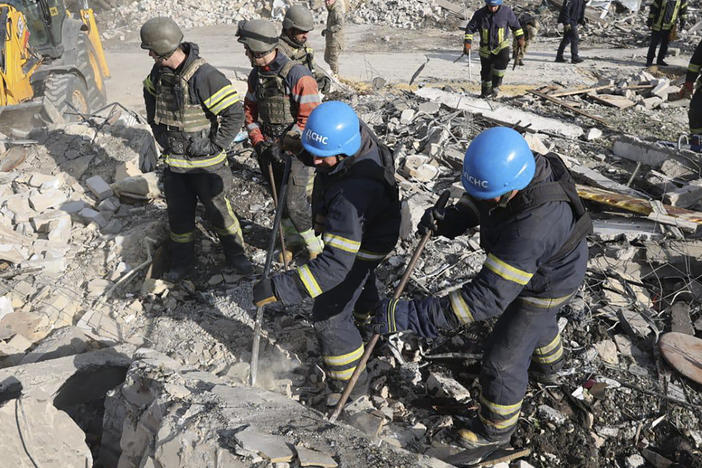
[(532, 227)]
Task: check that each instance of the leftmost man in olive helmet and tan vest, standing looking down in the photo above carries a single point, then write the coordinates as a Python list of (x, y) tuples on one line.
[(194, 113)]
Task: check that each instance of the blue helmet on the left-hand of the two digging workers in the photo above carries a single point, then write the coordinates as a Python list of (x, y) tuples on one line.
[(332, 128)]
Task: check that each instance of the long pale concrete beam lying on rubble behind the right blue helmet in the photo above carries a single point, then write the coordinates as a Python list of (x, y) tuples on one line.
[(500, 113)]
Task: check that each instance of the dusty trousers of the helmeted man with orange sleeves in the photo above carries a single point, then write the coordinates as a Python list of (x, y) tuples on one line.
[(297, 203)]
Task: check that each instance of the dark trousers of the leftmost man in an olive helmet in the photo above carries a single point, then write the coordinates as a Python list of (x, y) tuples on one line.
[(183, 190)]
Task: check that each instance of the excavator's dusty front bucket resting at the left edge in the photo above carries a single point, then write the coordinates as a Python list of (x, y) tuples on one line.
[(20, 119)]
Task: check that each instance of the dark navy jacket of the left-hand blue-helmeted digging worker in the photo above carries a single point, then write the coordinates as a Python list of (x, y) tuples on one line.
[(358, 214)]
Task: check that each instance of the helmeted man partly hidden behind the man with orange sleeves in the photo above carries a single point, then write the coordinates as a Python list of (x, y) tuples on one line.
[(297, 24)]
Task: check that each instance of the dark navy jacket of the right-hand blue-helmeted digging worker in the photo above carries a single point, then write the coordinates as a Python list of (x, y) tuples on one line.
[(520, 249)]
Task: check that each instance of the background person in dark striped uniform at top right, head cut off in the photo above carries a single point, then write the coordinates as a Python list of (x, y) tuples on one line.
[(661, 20)]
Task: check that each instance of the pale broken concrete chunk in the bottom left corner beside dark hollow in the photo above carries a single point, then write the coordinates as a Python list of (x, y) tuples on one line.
[(35, 433)]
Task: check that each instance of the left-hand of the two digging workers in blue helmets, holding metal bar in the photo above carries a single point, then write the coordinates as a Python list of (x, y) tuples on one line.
[(356, 209)]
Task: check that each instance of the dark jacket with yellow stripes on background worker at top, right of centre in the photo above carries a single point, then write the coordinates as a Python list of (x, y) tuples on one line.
[(493, 29)]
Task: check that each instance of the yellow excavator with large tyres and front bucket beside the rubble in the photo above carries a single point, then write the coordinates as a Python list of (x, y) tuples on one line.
[(51, 63)]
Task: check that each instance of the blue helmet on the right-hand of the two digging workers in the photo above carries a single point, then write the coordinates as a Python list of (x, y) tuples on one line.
[(497, 161)]
